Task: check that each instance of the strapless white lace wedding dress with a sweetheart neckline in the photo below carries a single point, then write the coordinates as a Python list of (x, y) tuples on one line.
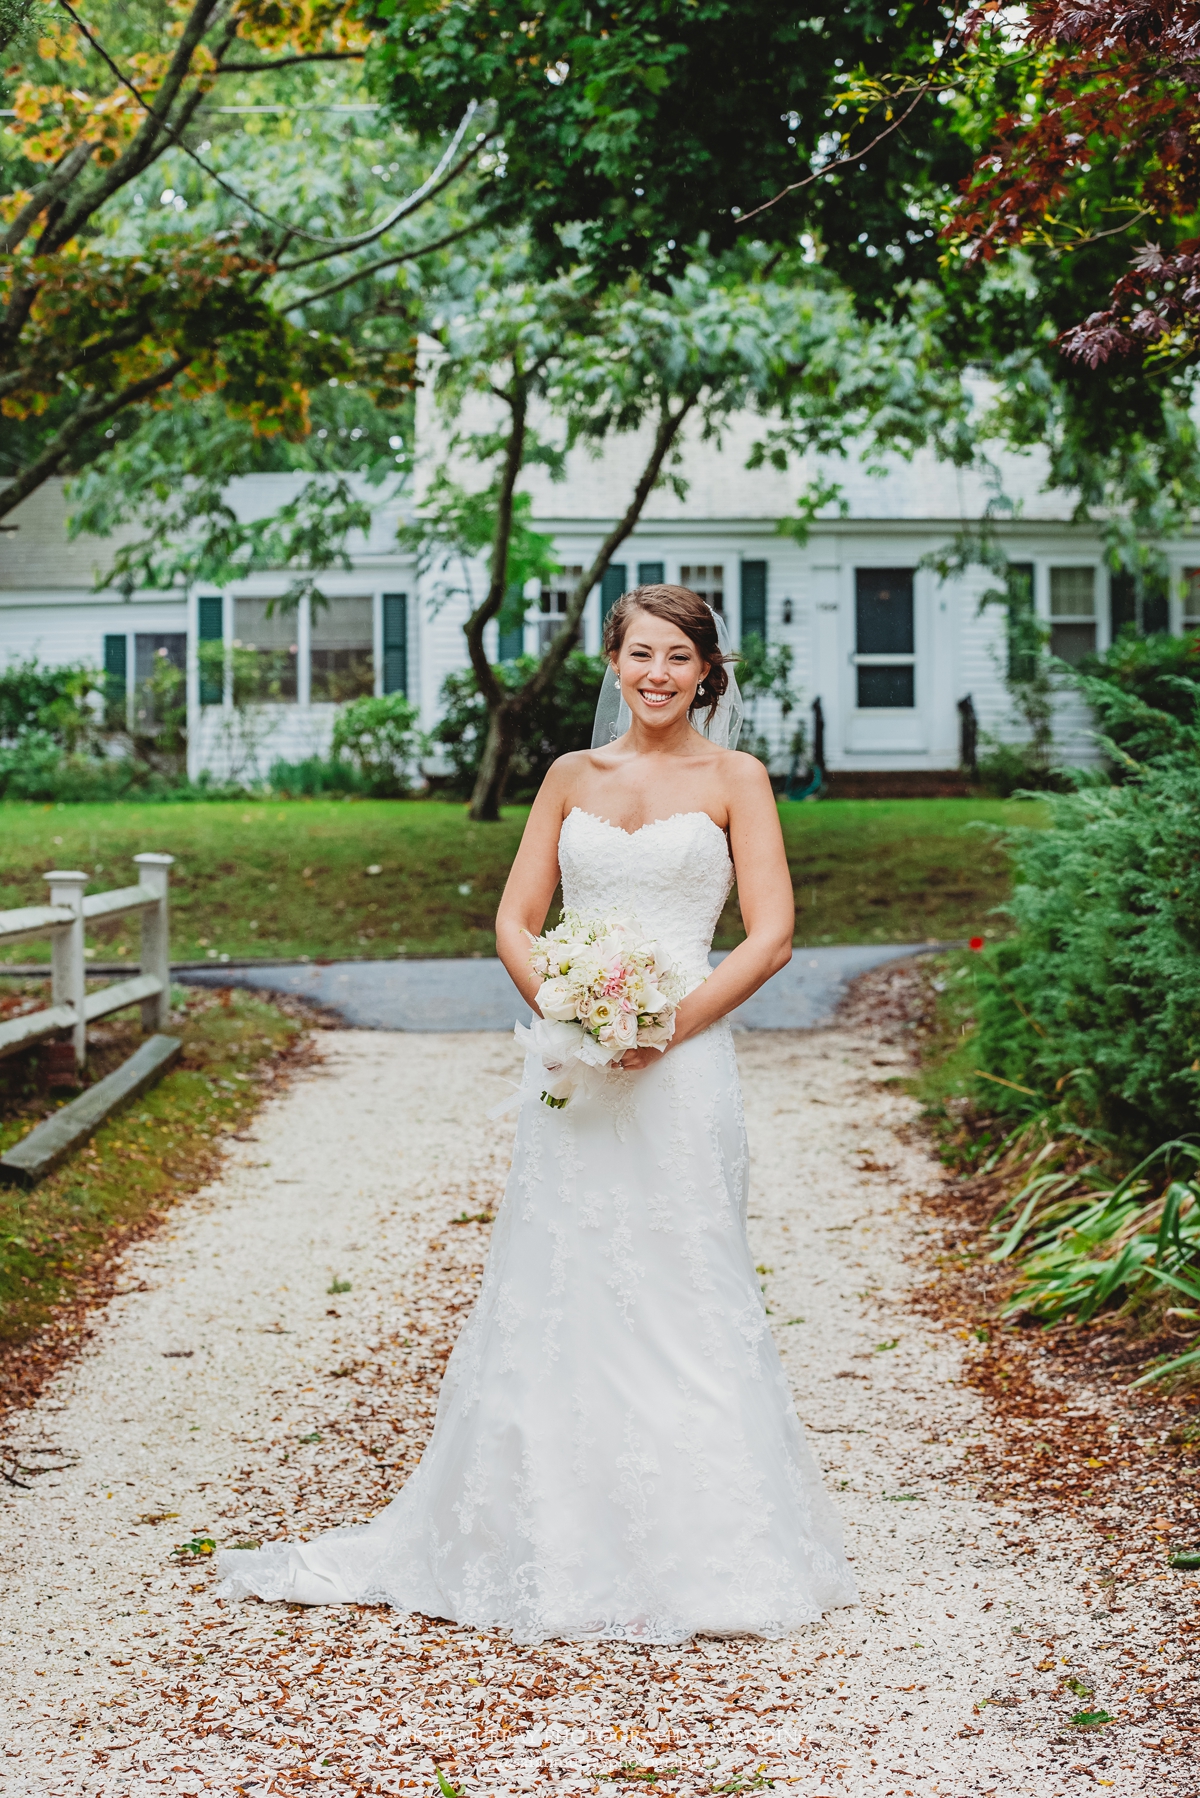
[(616, 1452)]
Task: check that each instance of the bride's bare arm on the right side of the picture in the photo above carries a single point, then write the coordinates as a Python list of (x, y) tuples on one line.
[(767, 909)]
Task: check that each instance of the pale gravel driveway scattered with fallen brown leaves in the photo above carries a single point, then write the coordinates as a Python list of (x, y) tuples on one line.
[(273, 1366)]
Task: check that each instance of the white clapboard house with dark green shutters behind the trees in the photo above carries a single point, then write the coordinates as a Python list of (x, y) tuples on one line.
[(888, 646)]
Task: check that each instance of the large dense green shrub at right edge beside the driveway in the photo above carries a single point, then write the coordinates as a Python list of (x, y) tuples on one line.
[(1095, 1002)]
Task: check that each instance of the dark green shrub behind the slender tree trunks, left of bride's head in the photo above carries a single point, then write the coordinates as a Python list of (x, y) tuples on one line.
[(559, 724)]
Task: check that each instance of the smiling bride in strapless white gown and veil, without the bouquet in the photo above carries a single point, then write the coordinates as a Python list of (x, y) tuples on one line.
[(616, 1452)]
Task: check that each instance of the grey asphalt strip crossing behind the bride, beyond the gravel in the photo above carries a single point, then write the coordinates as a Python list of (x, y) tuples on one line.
[(478, 995)]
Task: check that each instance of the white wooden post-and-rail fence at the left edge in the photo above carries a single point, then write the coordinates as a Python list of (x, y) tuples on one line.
[(64, 920)]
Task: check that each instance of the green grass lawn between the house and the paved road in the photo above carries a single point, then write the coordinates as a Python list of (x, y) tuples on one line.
[(296, 878)]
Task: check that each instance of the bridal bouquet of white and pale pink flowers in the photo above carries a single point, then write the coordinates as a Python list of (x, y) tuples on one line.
[(605, 990)]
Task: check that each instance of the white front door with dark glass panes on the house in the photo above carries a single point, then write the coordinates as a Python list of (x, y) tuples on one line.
[(884, 681)]
